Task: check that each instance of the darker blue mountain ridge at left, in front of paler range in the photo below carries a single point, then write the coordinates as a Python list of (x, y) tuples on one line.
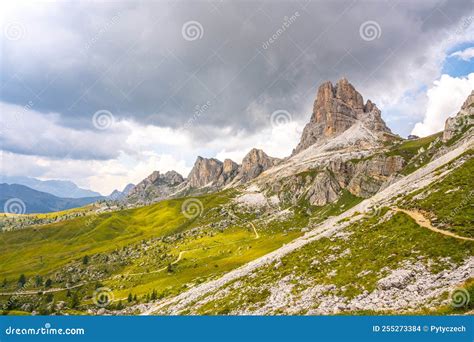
[(15, 198)]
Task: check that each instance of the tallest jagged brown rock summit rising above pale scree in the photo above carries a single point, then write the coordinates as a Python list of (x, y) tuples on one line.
[(336, 109)]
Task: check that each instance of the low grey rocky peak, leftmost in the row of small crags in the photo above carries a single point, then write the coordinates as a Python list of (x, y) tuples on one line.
[(156, 186)]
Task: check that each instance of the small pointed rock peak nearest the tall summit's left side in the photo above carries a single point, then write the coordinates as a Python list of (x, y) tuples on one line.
[(253, 164)]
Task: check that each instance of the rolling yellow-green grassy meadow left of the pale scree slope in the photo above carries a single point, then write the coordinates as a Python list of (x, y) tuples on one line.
[(143, 253)]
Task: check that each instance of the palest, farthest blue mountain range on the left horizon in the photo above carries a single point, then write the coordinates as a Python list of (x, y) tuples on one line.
[(59, 188)]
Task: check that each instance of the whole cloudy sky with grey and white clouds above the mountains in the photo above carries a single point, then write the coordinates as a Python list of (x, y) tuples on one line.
[(103, 93)]
